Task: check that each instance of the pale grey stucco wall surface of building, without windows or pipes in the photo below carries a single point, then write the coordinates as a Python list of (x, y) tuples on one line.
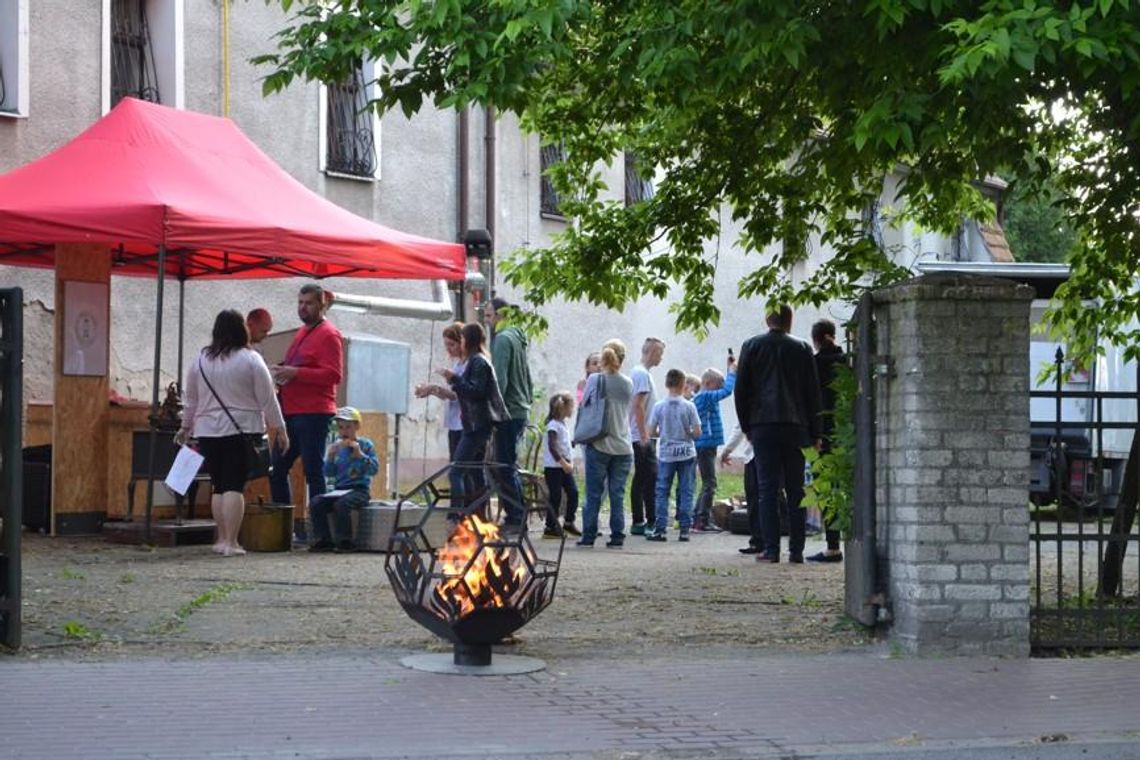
[(418, 193)]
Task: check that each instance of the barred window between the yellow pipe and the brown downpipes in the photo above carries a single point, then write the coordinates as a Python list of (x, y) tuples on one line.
[(352, 148)]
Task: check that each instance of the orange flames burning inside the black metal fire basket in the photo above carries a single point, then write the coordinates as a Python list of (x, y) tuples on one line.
[(490, 581)]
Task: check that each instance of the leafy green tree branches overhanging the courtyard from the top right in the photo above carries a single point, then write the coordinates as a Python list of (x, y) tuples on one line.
[(786, 113)]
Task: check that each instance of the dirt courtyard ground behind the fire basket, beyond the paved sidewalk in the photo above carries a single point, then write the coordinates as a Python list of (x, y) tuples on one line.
[(87, 599)]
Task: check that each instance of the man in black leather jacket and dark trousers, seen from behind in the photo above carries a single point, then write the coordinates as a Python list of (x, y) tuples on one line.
[(778, 405)]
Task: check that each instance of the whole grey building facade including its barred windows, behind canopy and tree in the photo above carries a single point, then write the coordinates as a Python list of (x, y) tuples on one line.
[(64, 64)]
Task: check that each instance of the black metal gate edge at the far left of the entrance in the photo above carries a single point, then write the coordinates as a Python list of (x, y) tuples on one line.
[(12, 464)]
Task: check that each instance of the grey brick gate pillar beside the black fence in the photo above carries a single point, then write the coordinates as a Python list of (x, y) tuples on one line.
[(954, 464)]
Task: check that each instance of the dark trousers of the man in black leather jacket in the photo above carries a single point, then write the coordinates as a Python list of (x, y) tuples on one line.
[(779, 463)]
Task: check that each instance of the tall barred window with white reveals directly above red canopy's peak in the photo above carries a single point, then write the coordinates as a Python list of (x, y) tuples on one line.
[(143, 52)]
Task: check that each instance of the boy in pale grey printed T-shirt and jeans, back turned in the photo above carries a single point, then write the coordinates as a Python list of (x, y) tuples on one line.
[(674, 422)]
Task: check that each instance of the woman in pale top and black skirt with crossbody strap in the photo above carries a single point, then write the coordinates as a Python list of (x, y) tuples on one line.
[(230, 395)]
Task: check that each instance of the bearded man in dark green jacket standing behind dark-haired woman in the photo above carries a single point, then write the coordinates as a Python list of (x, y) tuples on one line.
[(509, 355)]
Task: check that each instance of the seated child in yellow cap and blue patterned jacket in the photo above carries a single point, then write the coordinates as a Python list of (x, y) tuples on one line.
[(352, 462)]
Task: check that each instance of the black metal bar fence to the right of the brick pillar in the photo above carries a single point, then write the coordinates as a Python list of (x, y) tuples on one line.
[(1086, 587)]
